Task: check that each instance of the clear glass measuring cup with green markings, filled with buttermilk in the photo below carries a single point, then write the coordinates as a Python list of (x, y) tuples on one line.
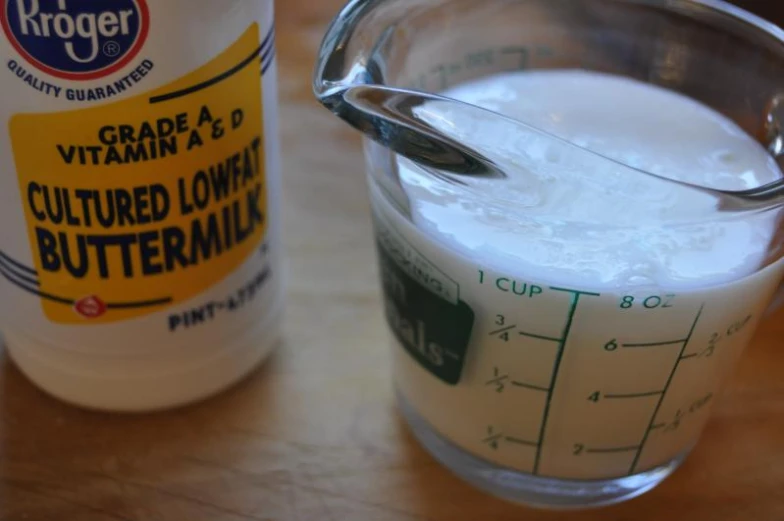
[(554, 390)]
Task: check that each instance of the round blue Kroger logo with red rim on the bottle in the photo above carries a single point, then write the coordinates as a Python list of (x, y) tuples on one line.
[(76, 39)]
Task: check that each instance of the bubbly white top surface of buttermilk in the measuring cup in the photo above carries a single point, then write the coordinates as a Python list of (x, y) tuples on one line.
[(566, 218)]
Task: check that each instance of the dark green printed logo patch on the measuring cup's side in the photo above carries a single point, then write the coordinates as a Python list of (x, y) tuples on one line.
[(423, 308)]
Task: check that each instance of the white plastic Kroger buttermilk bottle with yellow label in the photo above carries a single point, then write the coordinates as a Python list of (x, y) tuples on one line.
[(140, 252)]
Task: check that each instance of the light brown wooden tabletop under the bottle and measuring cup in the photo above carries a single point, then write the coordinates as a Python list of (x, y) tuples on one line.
[(314, 435)]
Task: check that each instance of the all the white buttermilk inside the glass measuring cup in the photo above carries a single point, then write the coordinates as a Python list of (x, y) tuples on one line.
[(574, 274)]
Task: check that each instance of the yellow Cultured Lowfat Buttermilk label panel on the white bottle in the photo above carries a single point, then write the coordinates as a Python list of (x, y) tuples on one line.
[(134, 206)]
